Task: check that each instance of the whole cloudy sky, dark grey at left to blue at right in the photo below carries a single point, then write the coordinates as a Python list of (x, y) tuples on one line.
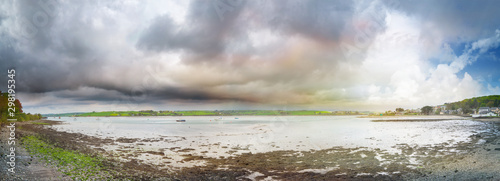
[(80, 56)]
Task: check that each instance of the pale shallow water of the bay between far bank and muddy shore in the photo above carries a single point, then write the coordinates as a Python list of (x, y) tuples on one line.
[(270, 133)]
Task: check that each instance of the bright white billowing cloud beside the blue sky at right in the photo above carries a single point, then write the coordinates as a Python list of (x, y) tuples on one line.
[(396, 61)]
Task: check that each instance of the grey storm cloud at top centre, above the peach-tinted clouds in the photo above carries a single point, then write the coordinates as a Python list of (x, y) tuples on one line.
[(210, 25)]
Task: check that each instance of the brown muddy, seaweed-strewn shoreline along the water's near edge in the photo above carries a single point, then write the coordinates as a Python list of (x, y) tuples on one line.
[(334, 163)]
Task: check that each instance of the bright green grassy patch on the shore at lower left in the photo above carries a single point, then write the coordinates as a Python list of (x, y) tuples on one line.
[(76, 165)]
